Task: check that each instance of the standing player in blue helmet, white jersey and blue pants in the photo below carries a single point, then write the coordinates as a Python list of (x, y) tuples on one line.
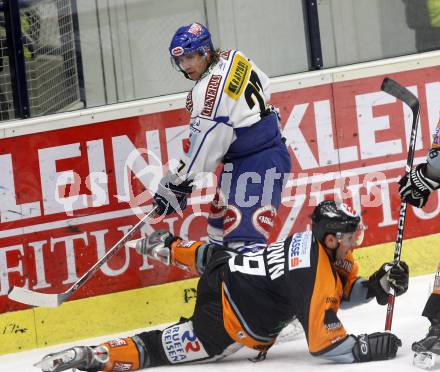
[(231, 123)]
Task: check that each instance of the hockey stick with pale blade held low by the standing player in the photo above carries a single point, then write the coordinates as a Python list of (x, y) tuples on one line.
[(29, 297)]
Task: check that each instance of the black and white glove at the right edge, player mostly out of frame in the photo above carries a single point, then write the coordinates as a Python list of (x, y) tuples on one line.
[(415, 186)]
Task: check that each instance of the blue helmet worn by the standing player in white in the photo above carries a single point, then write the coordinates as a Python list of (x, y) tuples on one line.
[(191, 38)]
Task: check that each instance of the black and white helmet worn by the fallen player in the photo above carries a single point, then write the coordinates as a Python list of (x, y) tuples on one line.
[(330, 217)]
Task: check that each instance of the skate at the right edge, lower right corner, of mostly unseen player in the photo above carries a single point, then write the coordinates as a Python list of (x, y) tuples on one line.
[(426, 350)]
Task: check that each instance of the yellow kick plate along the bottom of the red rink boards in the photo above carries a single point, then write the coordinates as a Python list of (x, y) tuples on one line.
[(146, 307)]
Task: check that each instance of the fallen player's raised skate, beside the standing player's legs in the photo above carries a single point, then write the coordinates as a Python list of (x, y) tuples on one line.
[(157, 245)]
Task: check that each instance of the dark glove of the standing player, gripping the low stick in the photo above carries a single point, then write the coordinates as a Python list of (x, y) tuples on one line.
[(171, 197)]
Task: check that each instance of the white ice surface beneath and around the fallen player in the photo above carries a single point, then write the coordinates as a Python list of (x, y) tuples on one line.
[(293, 356)]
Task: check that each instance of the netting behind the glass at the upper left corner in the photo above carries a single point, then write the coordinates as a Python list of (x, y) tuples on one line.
[(50, 59)]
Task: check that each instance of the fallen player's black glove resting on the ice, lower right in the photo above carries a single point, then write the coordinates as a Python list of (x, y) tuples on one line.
[(376, 346)]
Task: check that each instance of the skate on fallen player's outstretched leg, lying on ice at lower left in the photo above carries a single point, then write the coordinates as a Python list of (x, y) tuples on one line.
[(84, 358)]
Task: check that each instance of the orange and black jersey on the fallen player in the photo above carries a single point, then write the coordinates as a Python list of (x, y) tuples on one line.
[(263, 291)]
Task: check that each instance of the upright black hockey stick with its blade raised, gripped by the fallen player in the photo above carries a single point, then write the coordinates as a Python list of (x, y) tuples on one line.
[(396, 90)]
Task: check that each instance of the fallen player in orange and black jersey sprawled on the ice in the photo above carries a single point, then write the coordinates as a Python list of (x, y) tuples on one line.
[(247, 299)]
